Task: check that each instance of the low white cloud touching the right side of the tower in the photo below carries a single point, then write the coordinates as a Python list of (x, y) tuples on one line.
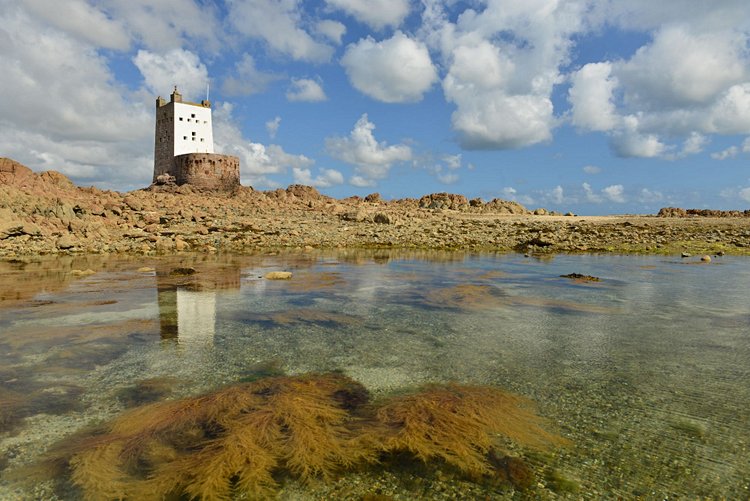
[(257, 161)]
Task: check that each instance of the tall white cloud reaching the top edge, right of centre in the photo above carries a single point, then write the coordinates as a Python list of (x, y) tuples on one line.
[(503, 63)]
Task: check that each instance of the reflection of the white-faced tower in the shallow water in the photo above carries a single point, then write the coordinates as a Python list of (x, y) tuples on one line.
[(188, 303)]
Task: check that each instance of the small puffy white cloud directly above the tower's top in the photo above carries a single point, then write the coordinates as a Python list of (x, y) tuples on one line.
[(177, 67)]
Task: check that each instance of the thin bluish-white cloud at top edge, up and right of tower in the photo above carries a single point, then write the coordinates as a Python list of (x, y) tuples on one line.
[(278, 23)]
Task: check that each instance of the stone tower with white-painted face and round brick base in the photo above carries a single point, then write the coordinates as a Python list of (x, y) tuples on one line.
[(184, 147)]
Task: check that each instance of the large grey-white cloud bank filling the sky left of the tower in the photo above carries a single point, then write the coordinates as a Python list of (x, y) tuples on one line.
[(78, 122)]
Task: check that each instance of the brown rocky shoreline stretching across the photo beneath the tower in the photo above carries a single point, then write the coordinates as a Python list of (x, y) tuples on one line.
[(45, 213)]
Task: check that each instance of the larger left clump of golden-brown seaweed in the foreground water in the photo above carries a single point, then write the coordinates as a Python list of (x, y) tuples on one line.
[(236, 438)]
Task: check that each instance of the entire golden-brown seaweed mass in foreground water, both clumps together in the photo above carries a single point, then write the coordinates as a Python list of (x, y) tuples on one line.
[(243, 438)]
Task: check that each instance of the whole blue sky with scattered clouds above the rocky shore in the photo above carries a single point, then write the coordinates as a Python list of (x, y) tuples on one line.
[(590, 106)]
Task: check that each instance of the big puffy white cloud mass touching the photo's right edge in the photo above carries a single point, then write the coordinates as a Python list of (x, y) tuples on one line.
[(690, 81)]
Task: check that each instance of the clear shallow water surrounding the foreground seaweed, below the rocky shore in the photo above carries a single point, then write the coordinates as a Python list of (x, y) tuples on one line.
[(646, 372)]
